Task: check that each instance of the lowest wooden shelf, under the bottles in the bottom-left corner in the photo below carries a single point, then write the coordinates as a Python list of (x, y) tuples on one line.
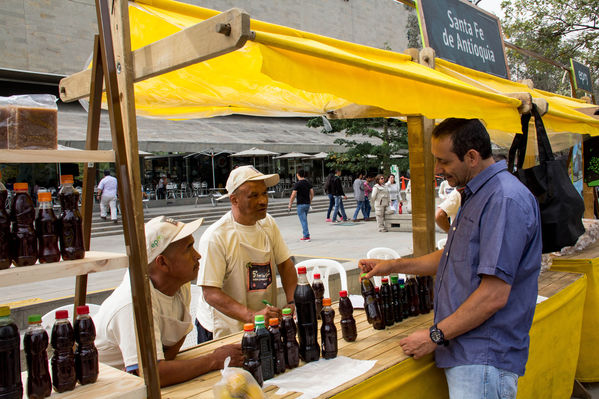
[(111, 383)]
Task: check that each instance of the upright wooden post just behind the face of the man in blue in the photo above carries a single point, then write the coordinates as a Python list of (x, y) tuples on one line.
[(422, 173)]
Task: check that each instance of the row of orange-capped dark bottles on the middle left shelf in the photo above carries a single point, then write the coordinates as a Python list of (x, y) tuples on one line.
[(26, 238)]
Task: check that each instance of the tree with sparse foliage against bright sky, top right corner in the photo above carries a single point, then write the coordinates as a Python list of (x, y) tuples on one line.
[(558, 30)]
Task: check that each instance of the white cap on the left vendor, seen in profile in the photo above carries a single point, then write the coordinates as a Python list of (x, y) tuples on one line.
[(162, 231)]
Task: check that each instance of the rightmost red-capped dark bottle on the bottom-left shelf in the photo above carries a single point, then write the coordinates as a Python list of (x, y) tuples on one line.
[(86, 354)]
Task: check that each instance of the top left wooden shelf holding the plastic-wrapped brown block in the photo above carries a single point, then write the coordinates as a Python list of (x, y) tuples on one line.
[(55, 156)]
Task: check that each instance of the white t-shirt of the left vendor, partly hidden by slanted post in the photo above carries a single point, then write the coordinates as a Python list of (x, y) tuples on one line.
[(115, 324)]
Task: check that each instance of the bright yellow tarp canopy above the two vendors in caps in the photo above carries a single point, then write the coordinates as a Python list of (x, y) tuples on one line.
[(285, 72)]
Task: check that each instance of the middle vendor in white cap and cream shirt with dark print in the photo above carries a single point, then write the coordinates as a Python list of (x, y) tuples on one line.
[(240, 251)]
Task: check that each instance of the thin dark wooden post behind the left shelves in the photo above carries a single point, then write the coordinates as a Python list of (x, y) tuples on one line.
[(89, 171)]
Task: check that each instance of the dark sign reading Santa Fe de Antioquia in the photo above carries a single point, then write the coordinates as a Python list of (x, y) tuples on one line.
[(463, 34)]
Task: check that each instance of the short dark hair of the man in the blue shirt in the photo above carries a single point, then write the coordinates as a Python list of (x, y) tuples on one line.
[(466, 134)]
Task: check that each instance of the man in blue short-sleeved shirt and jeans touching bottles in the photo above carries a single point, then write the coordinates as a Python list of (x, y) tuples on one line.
[(486, 277)]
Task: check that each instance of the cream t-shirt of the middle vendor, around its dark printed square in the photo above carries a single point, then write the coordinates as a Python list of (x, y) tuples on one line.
[(224, 265)]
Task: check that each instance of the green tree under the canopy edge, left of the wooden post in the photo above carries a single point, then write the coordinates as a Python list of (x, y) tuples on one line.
[(383, 137)]
